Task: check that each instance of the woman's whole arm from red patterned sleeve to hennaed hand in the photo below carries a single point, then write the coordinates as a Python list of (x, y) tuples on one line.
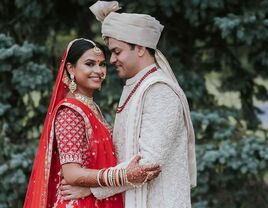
[(70, 145)]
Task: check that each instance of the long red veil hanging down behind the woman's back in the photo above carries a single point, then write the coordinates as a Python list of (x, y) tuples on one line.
[(37, 192)]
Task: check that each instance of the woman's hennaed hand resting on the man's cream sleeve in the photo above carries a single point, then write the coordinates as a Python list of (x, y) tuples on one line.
[(137, 174)]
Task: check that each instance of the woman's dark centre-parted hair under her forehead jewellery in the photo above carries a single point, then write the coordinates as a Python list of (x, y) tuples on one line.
[(78, 48)]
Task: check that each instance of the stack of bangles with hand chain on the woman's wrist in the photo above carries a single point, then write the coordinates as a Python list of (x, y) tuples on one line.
[(115, 177)]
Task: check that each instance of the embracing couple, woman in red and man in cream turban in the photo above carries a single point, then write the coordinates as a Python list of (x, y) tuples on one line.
[(149, 160)]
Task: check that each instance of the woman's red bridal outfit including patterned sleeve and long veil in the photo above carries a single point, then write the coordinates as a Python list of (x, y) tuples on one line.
[(81, 138)]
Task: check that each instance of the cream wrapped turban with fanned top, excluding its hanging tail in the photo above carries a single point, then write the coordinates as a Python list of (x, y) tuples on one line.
[(140, 29)]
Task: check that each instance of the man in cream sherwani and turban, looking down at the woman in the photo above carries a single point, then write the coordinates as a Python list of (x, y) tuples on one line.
[(153, 117)]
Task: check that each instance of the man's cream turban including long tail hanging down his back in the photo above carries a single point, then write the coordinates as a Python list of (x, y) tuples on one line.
[(144, 30)]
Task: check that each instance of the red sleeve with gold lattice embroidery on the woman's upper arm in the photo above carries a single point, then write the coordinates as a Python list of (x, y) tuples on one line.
[(70, 135)]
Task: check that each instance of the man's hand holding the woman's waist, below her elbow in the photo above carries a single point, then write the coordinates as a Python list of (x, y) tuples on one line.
[(69, 192)]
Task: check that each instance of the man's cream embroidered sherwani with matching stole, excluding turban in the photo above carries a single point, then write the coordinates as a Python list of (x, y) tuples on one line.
[(153, 124)]
